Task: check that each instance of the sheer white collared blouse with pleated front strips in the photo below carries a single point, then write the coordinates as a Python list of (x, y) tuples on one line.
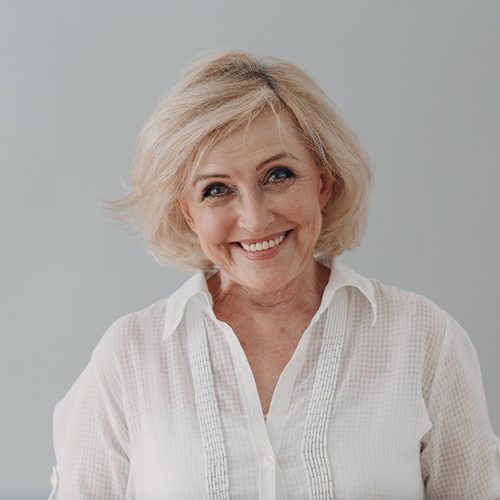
[(382, 399)]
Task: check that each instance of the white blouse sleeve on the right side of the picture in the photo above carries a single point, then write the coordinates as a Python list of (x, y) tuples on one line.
[(460, 455)]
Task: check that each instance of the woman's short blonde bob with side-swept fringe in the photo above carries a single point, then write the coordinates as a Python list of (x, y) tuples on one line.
[(215, 96)]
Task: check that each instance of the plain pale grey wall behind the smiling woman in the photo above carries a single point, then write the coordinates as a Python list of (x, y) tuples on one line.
[(418, 81)]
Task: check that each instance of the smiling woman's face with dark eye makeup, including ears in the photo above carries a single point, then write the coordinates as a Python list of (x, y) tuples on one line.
[(256, 204)]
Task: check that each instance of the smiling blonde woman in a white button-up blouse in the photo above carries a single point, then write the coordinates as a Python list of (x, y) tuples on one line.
[(275, 371)]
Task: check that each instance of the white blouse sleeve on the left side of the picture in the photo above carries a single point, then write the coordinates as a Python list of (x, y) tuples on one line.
[(90, 438)]
